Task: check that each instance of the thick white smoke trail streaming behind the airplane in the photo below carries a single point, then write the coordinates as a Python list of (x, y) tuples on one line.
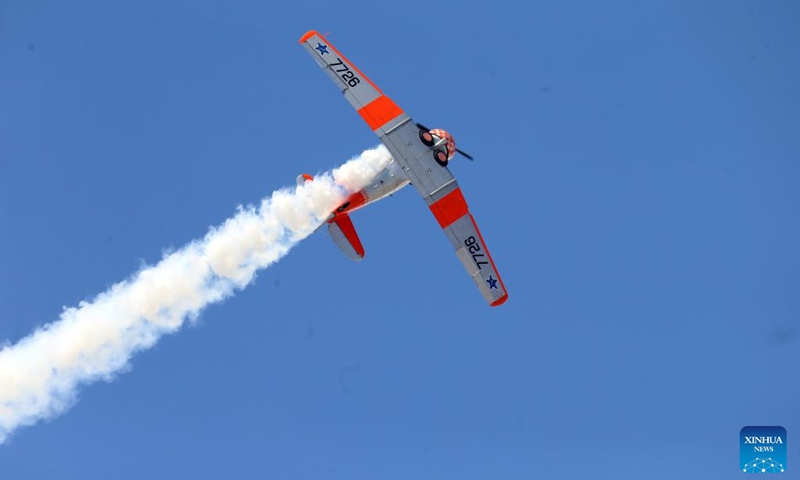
[(39, 375)]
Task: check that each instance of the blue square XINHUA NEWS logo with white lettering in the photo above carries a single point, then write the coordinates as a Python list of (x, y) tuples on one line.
[(762, 449)]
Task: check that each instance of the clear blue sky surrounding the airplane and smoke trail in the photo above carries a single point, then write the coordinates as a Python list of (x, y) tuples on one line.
[(635, 179)]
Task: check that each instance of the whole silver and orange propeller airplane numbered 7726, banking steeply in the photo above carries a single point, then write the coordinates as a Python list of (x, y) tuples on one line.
[(419, 157)]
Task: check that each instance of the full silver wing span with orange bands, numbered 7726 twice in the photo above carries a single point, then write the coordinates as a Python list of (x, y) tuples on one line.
[(436, 185)]
